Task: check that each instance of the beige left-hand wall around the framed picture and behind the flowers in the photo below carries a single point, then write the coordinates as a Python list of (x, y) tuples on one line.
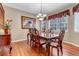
[(16, 32)]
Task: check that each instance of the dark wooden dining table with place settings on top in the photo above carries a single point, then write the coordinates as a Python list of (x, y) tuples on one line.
[(49, 37)]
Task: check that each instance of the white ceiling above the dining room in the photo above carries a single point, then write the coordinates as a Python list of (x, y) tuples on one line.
[(34, 8)]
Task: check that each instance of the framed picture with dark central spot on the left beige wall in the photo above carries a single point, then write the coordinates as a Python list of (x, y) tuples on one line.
[(27, 22)]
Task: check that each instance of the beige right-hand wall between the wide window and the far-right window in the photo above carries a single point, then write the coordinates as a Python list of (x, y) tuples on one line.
[(73, 36)]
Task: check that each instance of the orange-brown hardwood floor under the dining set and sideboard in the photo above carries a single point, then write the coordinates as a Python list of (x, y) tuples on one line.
[(23, 49)]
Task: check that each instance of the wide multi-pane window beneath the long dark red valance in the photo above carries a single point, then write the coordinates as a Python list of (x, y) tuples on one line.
[(58, 23)]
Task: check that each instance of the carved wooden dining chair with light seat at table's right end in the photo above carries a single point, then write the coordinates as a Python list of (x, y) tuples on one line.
[(57, 42)]
